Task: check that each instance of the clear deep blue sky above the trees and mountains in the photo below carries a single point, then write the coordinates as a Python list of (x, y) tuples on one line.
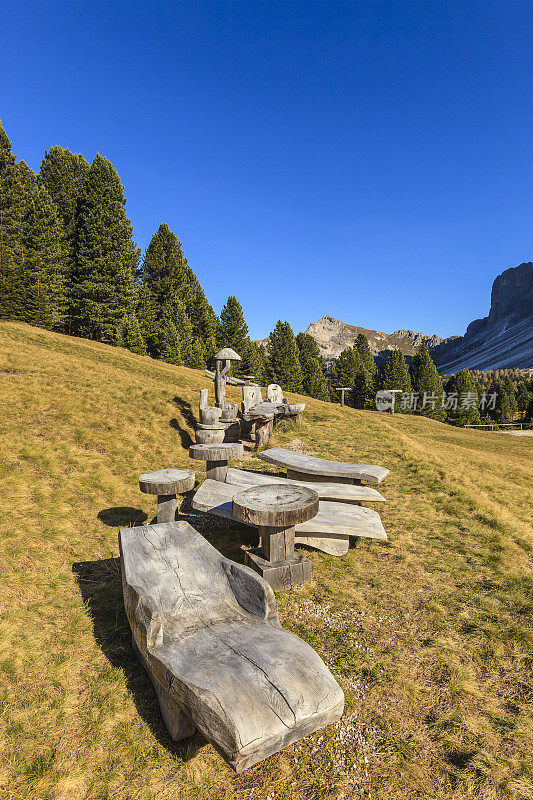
[(372, 161)]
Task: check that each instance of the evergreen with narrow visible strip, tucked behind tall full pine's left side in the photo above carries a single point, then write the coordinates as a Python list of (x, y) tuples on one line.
[(64, 174)]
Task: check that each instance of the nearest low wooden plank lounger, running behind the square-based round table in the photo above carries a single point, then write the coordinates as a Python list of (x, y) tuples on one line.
[(329, 531)]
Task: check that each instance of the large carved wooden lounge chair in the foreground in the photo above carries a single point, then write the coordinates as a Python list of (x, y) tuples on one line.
[(207, 631)]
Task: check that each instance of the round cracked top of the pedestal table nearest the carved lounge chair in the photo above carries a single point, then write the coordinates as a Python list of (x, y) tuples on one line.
[(275, 505)]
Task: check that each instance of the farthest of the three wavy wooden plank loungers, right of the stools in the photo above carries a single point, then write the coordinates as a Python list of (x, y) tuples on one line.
[(302, 467)]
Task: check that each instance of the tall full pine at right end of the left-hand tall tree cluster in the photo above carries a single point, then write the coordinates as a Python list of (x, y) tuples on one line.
[(104, 288)]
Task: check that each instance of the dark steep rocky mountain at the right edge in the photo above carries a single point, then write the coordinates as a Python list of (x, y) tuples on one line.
[(502, 340)]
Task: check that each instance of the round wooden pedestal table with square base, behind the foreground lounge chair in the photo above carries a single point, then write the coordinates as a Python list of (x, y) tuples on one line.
[(275, 509)]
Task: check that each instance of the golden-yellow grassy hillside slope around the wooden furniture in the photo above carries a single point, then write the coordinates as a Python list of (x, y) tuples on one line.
[(429, 634)]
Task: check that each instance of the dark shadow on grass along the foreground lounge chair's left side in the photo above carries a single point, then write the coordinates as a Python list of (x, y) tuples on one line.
[(100, 585)]
